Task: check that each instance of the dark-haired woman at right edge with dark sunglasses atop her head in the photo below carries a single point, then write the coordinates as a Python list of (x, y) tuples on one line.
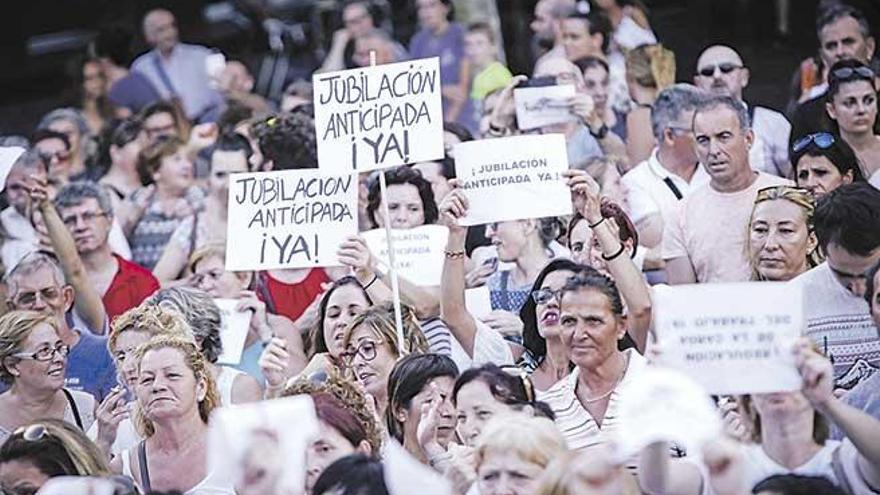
[(851, 102)]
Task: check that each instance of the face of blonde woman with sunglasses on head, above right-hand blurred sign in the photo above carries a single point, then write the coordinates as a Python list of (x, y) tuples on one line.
[(779, 240)]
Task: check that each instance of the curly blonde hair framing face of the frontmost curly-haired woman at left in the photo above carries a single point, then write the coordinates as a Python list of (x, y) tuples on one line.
[(195, 361)]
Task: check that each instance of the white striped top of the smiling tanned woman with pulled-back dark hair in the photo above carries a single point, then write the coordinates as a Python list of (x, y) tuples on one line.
[(577, 425)]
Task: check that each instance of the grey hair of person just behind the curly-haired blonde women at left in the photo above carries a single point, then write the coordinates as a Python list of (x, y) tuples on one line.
[(199, 311)]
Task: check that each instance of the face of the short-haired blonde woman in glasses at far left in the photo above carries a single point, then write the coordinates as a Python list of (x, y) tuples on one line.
[(43, 375)]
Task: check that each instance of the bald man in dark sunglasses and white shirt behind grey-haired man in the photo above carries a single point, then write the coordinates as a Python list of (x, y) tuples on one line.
[(721, 70)]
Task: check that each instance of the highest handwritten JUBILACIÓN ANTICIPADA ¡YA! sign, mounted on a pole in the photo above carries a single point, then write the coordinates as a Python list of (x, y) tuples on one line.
[(379, 117)]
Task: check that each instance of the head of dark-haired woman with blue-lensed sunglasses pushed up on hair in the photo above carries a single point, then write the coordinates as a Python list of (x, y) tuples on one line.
[(823, 162)]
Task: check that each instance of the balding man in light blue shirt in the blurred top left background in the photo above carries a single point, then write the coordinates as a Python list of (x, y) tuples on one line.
[(178, 70)]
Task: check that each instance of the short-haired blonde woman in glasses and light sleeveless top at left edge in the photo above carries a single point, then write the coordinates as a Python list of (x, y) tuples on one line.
[(33, 360)]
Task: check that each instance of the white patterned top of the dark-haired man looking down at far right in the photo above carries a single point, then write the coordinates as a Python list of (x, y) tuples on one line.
[(841, 325)]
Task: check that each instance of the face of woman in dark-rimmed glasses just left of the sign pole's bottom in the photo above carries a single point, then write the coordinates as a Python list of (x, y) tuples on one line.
[(372, 359)]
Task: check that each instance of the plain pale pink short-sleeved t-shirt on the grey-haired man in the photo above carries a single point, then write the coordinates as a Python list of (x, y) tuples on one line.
[(711, 228)]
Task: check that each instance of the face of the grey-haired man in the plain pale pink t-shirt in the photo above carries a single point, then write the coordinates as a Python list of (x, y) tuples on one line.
[(722, 146)]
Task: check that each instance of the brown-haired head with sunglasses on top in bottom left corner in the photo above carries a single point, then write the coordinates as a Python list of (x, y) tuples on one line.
[(43, 450)]
